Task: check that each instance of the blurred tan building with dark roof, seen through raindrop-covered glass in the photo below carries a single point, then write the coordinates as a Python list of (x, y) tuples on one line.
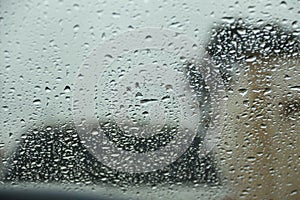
[(259, 149)]
